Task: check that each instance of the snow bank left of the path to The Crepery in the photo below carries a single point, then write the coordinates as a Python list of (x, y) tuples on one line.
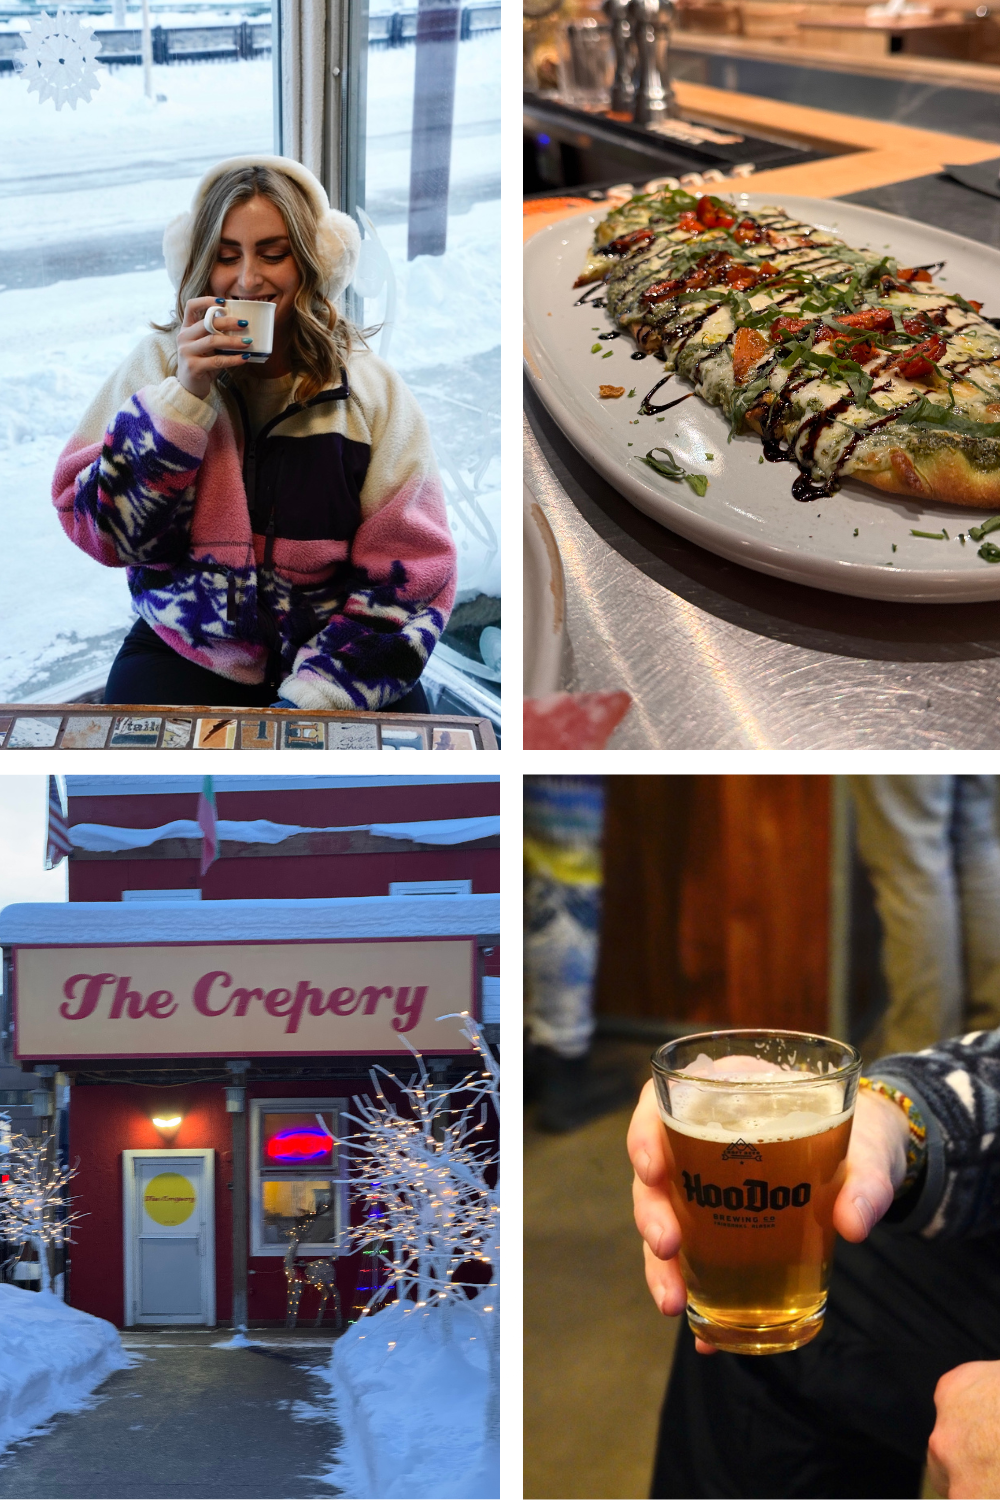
[(52, 1358)]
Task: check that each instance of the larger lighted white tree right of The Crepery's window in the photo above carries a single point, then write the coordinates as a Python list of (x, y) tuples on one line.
[(427, 1181)]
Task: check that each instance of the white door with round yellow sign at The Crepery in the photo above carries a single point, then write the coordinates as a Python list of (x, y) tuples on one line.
[(170, 1241)]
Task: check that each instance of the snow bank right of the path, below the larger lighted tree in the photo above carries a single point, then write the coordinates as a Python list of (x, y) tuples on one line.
[(410, 1397)]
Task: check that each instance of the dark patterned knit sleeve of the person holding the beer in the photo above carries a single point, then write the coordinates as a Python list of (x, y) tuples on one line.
[(957, 1088)]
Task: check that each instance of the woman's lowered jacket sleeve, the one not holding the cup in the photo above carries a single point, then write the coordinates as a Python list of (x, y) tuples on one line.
[(403, 566)]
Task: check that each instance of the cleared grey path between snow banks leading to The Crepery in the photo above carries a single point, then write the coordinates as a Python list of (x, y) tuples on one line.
[(191, 1420)]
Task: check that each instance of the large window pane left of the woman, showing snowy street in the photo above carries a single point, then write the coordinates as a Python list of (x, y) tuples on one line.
[(85, 197)]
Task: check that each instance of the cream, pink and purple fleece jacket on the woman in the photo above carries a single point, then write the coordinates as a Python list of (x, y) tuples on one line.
[(317, 557)]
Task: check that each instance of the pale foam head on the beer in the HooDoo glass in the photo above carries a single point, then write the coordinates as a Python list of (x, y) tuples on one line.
[(782, 1103)]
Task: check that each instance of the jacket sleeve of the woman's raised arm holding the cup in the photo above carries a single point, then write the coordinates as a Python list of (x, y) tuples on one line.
[(125, 482)]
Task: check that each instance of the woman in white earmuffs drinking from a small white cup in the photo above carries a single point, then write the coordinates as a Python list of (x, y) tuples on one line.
[(268, 482)]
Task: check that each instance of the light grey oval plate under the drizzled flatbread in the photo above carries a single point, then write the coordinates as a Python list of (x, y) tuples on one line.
[(749, 514)]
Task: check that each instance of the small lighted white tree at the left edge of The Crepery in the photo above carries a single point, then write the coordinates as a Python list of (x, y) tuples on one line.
[(34, 1201)]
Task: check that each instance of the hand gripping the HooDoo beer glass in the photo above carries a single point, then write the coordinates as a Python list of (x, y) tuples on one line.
[(876, 1168)]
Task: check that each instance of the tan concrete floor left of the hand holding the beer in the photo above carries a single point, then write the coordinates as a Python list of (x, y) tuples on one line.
[(597, 1354)]
